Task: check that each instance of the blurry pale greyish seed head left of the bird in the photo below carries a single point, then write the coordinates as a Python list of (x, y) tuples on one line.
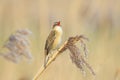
[(18, 46)]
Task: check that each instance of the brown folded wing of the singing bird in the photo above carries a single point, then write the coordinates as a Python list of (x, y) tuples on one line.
[(50, 41)]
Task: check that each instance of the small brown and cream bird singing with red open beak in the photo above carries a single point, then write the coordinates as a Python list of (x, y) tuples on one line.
[(53, 40)]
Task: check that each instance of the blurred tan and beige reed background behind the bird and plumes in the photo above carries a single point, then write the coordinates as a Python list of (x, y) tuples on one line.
[(99, 20)]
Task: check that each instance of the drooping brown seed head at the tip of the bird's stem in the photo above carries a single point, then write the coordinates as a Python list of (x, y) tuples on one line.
[(76, 55)]
